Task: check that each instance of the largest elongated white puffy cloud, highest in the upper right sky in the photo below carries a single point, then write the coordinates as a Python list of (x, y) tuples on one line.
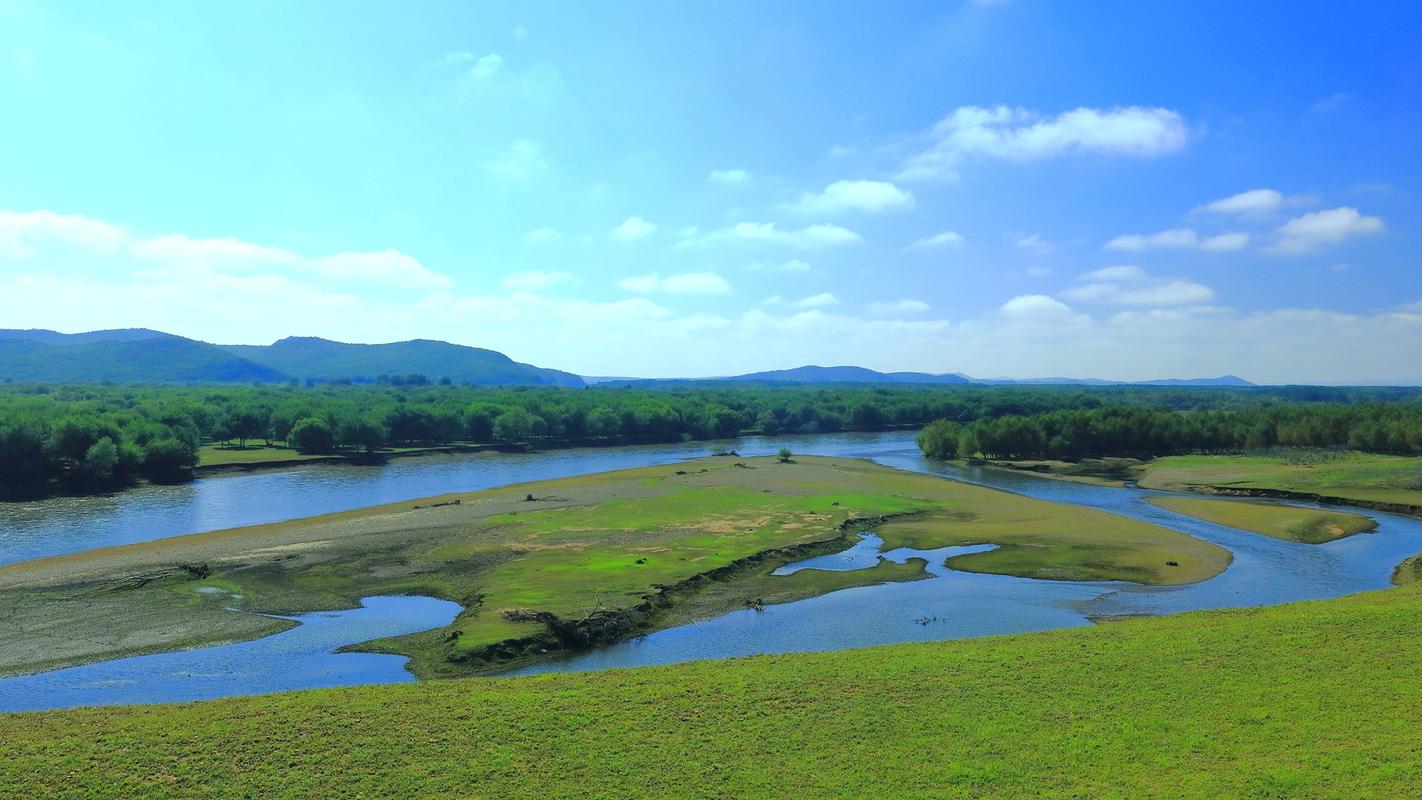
[(1017, 134)]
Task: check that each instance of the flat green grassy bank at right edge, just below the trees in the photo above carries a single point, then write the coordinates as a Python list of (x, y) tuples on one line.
[(1352, 477)]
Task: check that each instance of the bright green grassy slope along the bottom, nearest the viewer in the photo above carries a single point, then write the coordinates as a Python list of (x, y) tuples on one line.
[(1306, 701)]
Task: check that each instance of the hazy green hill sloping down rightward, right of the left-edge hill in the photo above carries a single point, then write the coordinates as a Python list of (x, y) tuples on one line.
[(312, 357)]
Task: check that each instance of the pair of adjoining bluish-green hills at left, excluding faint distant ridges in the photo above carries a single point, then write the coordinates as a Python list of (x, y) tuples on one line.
[(140, 356)]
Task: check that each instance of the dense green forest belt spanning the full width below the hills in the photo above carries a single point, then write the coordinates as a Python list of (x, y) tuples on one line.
[(95, 437)]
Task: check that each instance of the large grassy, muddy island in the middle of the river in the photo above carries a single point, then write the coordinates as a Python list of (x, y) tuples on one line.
[(564, 565)]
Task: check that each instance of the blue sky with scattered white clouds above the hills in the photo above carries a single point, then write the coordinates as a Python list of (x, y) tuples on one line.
[(1012, 188)]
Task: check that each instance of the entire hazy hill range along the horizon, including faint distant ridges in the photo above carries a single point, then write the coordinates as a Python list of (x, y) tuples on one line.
[(141, 356)]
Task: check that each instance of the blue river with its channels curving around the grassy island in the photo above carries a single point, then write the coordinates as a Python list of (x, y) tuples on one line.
[(952, 605)]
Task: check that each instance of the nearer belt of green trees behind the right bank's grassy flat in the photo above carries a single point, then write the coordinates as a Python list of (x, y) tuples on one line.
[(1145, 433)]
